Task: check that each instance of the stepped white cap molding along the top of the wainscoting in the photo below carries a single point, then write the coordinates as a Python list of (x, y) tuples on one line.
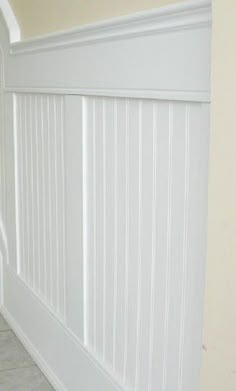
[(187, 15)]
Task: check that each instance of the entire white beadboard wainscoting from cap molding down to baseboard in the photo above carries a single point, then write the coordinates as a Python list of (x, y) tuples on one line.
[(104, 169)]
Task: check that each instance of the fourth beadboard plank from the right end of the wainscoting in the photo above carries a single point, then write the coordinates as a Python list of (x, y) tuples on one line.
[(146, 243)]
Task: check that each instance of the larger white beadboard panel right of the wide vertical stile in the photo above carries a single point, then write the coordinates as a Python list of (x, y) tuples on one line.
[(144, 241)]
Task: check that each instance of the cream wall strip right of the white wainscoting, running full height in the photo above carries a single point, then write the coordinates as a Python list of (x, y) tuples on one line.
[(219, 362)]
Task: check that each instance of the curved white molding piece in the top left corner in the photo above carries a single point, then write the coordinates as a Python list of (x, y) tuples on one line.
[(11, 21)]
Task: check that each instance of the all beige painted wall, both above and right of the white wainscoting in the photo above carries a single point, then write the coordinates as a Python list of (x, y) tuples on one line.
[(219, 354)]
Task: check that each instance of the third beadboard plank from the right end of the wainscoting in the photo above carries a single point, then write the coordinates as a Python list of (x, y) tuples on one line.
[(163, 150)]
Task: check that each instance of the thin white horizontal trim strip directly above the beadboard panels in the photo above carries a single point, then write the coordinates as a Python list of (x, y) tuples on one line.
[(188, 96)]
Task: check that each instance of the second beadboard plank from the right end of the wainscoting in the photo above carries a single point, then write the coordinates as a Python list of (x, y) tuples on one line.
[(178, 205)]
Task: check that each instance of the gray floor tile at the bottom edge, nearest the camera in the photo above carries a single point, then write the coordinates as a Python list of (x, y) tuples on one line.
[(24, 379)]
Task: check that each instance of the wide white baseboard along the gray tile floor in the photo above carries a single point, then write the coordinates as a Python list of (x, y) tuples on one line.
[(60, 356)]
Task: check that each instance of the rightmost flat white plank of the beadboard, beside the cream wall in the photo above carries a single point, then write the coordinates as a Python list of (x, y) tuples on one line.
[(195, 244)]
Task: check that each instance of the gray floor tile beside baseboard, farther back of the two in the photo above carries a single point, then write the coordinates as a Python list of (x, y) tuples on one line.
[(12, 353)]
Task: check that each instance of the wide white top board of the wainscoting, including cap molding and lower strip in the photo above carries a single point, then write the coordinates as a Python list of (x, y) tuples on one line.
[(118, 56)]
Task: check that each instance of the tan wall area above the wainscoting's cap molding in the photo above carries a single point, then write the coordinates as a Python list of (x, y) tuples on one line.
[(40, 17)]
